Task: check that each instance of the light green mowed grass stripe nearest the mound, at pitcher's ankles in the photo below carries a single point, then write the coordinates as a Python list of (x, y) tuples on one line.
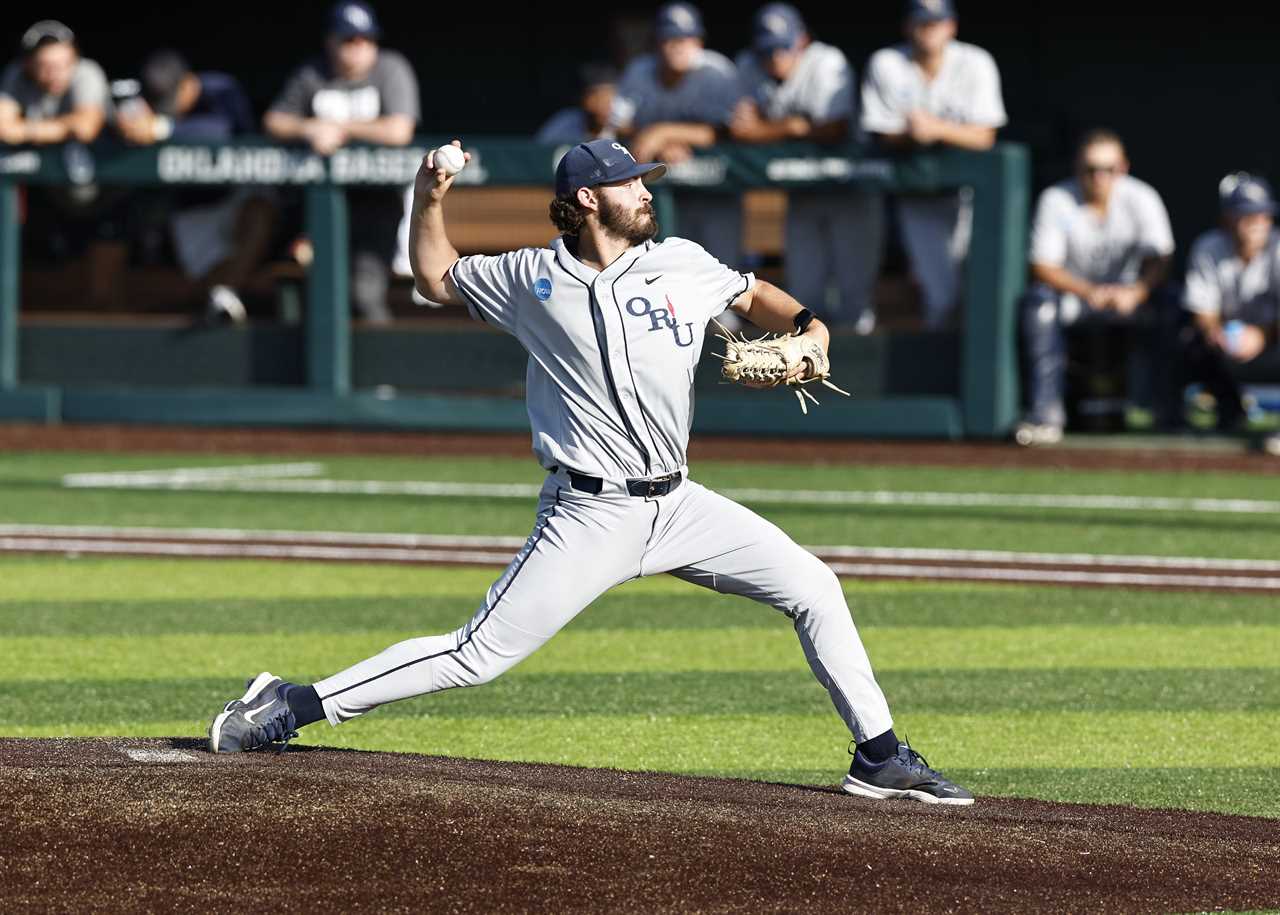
[(1027, 740)]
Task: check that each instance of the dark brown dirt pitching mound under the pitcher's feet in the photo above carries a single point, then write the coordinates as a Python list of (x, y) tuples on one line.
[(164, 826)]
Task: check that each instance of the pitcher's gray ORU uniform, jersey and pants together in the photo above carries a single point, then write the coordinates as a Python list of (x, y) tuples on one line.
[(611, 367)]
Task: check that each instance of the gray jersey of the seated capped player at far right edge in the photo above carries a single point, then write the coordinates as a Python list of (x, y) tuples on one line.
[(1220, 283)]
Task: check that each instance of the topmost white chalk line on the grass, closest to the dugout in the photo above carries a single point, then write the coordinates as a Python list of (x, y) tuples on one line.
[(290, 479)]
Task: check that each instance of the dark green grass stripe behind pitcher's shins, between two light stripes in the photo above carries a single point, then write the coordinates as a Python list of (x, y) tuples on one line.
[(730, 693)]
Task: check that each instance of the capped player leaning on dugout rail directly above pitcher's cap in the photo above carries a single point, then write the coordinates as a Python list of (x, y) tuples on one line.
[(674, 102)]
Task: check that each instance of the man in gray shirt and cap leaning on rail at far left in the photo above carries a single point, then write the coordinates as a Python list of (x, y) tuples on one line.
[(52, 95)]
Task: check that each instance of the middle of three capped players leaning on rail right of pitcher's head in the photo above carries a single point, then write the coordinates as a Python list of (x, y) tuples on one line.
[(799, 89)]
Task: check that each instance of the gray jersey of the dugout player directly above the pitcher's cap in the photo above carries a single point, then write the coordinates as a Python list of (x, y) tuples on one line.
[(707, 94)]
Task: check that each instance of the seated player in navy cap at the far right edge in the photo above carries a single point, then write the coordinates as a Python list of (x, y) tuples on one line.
[(1232, 301)]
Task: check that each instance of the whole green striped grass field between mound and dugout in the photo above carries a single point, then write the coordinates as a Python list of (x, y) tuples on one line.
[(1167, 699)]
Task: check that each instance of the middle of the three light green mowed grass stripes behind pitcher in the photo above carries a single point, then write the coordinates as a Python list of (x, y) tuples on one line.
[(164, 657)]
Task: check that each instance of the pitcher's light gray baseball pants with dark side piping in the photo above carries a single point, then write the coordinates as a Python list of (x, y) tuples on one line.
[(582, 546)]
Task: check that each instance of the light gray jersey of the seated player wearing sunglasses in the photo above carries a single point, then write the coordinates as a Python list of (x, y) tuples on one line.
[(1067, 234)]
